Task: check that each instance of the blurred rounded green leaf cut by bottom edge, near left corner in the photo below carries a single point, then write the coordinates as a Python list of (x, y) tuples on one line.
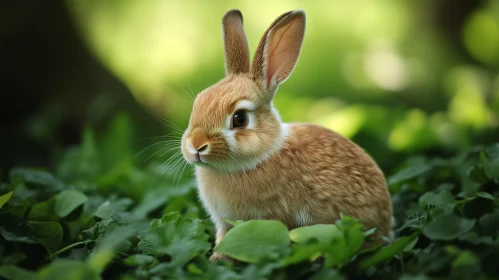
[(68, 270)]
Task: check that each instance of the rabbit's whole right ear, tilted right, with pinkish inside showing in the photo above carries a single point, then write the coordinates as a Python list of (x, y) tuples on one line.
[(279, 49)]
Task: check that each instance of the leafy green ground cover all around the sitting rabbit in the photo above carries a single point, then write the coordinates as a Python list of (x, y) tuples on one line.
[(97, 215)]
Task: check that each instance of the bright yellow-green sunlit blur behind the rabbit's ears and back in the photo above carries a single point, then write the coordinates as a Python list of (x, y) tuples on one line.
[(358, 57)]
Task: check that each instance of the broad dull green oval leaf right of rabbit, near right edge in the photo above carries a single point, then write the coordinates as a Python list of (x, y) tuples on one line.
[(448, 227)]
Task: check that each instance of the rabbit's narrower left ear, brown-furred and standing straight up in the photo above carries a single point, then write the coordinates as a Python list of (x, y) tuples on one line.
[(235, 44)]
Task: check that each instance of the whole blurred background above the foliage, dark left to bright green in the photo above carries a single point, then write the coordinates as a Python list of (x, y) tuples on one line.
[(397, 77)]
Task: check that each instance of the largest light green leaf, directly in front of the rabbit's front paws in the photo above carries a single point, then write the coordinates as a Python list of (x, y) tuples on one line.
[(254, 240)]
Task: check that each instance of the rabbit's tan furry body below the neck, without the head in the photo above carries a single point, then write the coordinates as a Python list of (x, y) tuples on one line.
[(315, 176)]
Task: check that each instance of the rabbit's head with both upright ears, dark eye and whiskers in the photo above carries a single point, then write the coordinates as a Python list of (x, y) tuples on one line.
[(233, 124)]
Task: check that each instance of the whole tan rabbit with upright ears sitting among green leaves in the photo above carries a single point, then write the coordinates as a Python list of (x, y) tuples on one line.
[(248, 164)]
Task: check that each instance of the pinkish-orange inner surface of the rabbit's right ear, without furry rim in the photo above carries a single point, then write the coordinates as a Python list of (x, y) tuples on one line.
[(283, 49)]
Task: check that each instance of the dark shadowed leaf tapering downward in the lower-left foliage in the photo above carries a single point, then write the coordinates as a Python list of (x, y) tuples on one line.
[(49, 234)]
